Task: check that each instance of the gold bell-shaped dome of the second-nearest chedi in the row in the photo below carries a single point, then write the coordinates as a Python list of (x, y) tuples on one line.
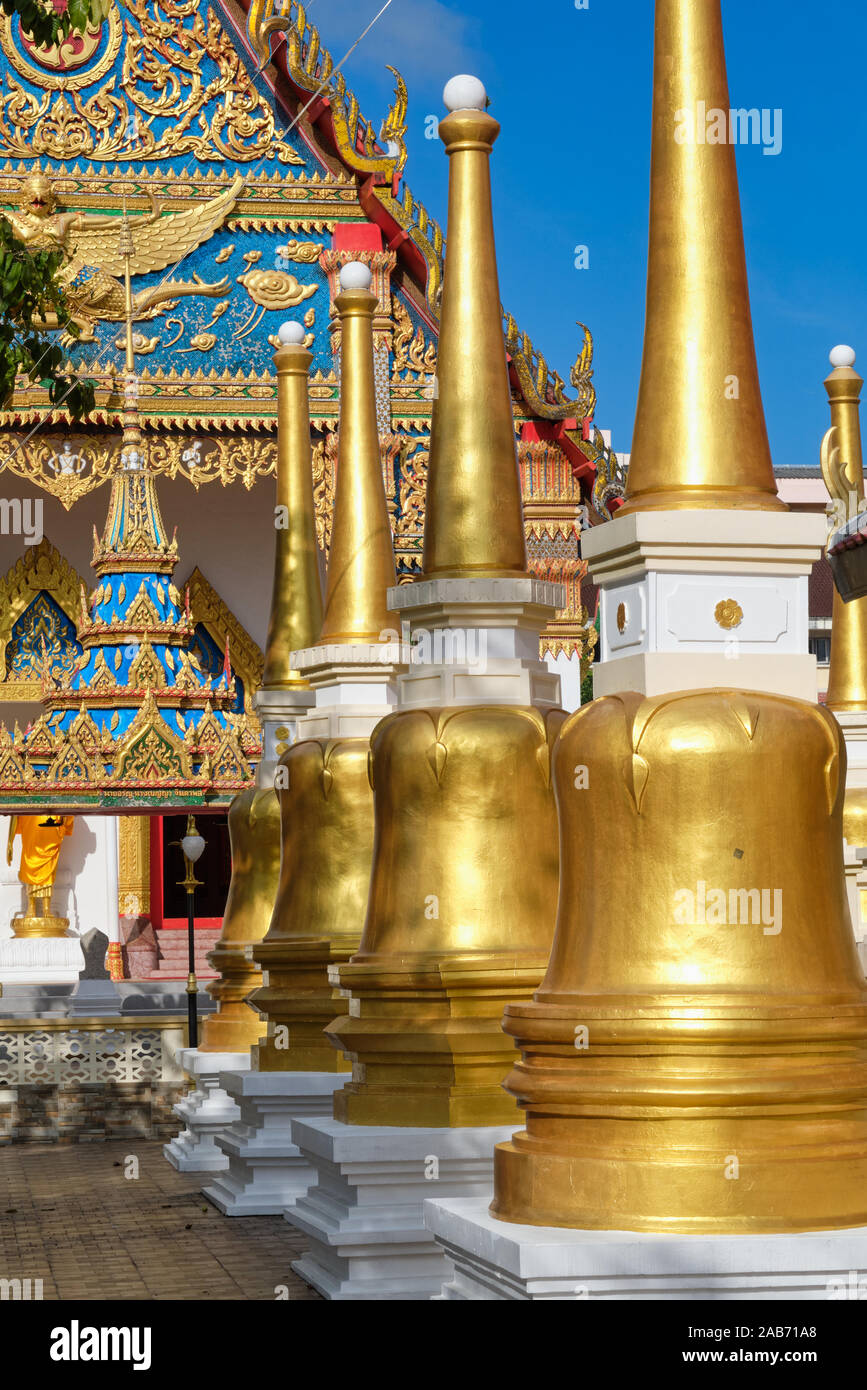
[(462, 913)]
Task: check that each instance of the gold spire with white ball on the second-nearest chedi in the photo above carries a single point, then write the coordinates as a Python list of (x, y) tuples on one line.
[(473, 516)]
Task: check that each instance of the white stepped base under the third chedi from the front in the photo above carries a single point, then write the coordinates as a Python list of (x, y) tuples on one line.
[(265, 1170)]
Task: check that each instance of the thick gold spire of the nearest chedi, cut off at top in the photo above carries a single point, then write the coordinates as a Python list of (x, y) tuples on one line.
[(701, 439)]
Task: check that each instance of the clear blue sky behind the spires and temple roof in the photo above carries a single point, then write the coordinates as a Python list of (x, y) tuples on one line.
[(572, 90)]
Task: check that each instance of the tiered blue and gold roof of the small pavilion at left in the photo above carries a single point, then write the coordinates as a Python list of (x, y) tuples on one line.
[(137, 722)]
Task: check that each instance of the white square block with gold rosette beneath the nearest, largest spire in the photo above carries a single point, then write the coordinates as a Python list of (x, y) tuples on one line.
[(705, 598)]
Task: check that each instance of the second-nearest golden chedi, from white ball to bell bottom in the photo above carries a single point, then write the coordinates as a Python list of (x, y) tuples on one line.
[(465, 878)]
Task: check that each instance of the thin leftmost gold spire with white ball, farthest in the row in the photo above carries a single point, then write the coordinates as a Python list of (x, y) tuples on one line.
[(297, 603)]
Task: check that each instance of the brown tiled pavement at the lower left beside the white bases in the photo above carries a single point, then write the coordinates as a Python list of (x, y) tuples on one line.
[(72, 1218)]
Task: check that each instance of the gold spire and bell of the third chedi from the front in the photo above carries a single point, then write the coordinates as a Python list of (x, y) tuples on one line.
[(327, 810)]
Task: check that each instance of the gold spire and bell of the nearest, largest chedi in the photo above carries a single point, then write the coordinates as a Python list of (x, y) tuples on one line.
[(697, 1057)]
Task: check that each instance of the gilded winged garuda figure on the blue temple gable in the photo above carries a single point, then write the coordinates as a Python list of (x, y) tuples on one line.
[(94, 263)]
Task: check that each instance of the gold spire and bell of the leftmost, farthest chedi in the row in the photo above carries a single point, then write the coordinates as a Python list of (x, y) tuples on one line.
[(297, 615)]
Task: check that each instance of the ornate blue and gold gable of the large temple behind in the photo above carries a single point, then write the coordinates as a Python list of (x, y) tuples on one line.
[(163, 104)]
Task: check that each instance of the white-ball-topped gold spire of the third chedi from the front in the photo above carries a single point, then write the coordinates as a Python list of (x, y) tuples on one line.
[(362, 561)]
